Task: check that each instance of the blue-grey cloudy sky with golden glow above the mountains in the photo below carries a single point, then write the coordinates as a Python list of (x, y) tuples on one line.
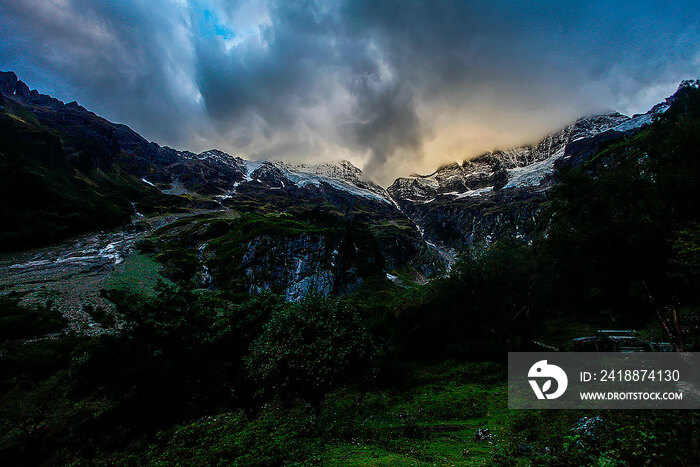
[(396, 87)]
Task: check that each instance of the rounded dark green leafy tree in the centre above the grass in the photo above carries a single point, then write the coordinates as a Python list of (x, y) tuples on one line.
[(308, 347)]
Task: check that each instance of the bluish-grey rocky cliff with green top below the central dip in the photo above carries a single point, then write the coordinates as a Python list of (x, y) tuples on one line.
[(313, 251)]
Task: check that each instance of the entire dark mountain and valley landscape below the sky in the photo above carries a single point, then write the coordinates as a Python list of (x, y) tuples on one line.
[(263, 313)]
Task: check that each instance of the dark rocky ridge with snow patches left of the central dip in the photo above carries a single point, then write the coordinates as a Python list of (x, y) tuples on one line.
[(210, 173)]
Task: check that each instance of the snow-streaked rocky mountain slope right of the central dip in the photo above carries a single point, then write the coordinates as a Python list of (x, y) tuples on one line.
[(499, 194)]
